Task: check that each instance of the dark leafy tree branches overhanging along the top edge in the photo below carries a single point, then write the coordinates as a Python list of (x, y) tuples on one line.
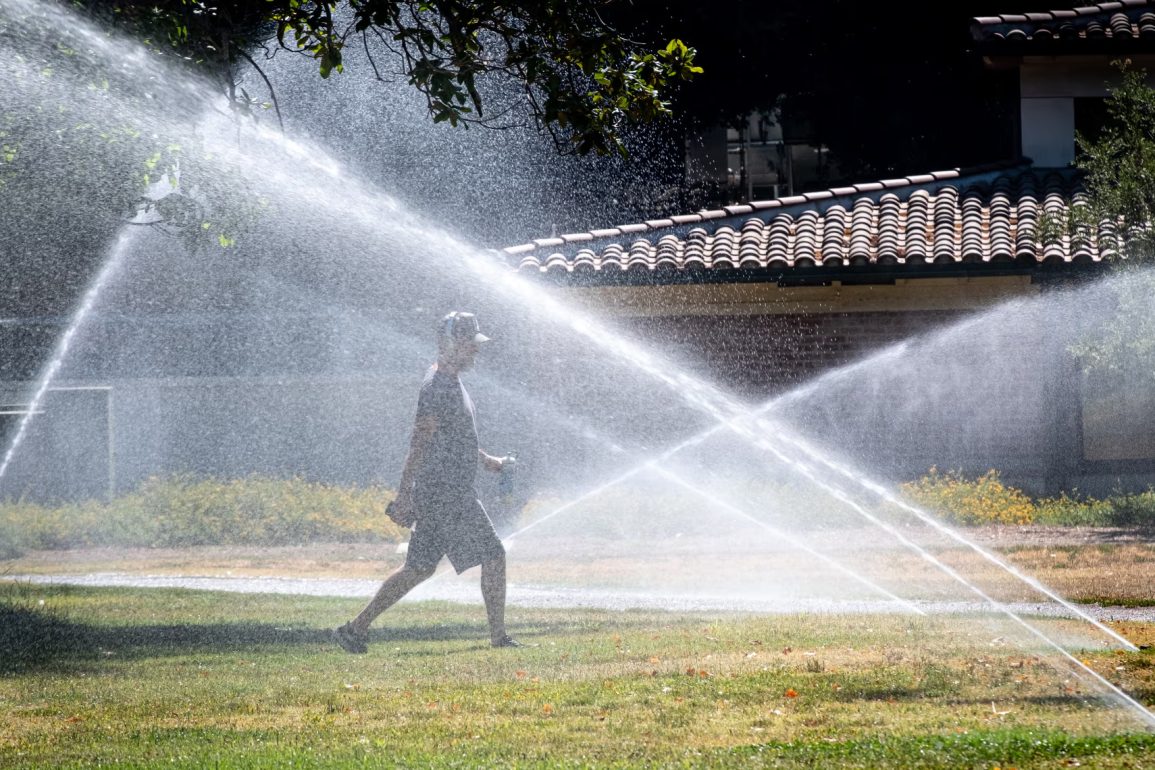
[(582, 78)]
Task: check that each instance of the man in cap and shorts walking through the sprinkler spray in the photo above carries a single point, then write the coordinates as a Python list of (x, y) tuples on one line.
[(437, 496)]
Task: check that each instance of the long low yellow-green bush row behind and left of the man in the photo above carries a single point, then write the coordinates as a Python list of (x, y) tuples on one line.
[(188, 511)]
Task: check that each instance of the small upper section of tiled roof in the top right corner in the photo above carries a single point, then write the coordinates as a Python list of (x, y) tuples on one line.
[(1126, 24)]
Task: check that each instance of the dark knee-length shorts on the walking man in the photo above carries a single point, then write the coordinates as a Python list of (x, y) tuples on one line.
[(456, 528)]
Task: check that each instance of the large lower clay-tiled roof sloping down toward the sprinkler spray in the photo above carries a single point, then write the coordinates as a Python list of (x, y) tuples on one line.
[(982, 216)]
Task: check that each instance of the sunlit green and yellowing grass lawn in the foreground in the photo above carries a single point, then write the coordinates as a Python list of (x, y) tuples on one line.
[(151, 678)]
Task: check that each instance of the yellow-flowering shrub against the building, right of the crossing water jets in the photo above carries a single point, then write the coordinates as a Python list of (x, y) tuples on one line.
[(985, 500)]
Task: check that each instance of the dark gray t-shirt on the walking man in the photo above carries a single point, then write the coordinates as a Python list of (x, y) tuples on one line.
[(449, 468)]
